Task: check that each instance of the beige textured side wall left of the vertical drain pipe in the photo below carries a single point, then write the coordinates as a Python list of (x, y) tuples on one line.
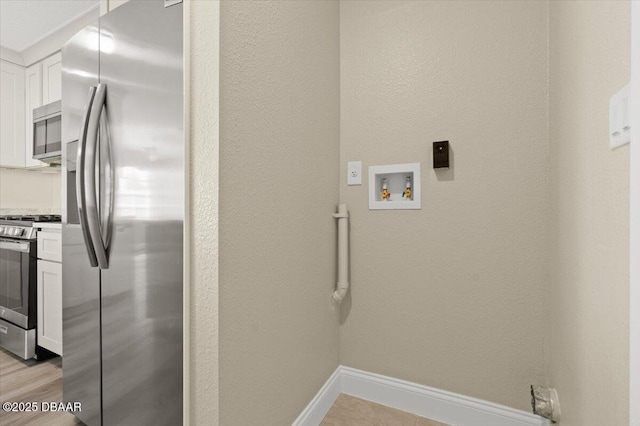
[(279, 157)]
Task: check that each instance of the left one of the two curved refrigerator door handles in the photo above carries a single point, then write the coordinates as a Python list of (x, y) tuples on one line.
[(80, 178)]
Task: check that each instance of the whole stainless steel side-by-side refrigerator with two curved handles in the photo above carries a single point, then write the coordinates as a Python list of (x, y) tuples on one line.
[(123, 215)]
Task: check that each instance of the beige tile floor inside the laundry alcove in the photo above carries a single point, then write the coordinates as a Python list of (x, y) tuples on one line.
[(351, 411)]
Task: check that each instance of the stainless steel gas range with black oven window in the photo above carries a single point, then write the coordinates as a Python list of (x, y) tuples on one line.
[(18, 272)]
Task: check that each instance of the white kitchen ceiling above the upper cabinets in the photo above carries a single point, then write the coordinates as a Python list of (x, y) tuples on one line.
[(24, 22)]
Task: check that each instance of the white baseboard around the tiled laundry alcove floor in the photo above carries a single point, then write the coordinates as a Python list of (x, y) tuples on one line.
[(443, 406)]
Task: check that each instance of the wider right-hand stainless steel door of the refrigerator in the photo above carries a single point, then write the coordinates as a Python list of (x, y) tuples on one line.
[(141, 64)]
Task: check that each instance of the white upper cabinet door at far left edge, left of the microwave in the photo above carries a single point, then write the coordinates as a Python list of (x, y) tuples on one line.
[(12, 117)]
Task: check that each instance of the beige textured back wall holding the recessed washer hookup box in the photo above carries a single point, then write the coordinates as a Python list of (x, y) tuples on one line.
[(454, 295)]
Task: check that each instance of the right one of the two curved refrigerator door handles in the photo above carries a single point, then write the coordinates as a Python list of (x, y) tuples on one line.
[(93, 215)]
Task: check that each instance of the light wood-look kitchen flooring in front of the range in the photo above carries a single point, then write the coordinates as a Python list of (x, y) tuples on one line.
[(32, 381)]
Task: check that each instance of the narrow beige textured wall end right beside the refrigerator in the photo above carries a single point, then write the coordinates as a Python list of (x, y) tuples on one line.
[(204, 52)]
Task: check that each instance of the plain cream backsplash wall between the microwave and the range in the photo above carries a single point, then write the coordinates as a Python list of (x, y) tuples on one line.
[(30, 191)]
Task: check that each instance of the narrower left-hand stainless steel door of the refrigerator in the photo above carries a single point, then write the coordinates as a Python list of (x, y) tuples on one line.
[(80, 282)]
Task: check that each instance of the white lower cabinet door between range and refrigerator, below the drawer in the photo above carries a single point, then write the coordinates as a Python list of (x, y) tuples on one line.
[(50, 306)]
